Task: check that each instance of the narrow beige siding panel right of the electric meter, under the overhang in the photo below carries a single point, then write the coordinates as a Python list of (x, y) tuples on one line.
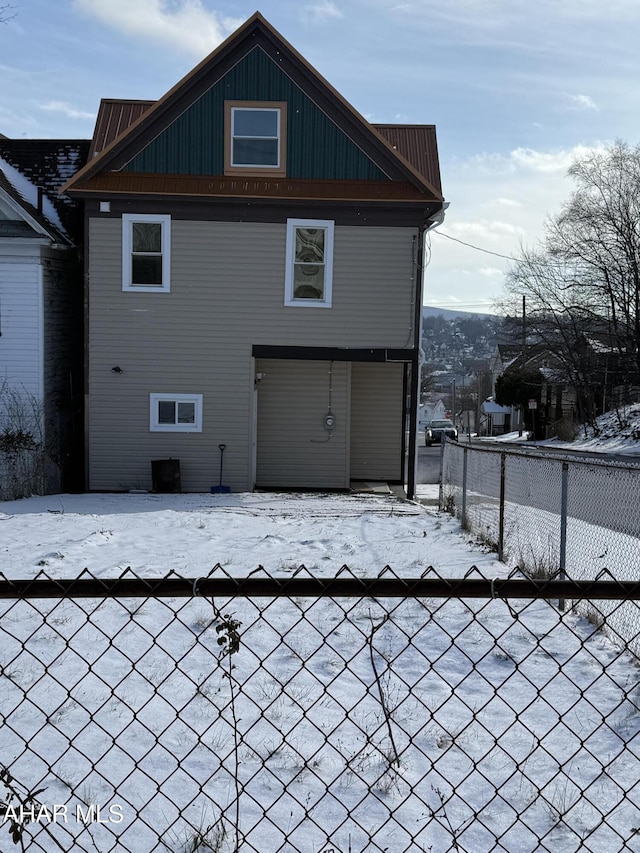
[(376, 422)]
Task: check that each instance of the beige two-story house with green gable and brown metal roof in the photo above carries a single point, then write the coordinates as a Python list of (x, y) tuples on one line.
[(254, 270)]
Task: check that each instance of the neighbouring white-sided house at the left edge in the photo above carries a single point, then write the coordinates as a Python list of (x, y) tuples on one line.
[(41, 298)]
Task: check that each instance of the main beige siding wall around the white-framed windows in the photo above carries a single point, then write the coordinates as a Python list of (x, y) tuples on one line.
[(227, 294)]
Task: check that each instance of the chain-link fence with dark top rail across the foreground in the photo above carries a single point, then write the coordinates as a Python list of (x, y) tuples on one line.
[(303, 714)]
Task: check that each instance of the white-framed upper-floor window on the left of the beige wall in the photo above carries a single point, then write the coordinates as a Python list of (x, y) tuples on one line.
[(146, 252)]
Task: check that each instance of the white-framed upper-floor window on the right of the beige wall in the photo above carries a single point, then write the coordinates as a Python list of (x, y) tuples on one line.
[(309, 263)]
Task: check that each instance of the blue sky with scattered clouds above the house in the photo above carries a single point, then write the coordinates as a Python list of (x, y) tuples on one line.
[(517, 90)]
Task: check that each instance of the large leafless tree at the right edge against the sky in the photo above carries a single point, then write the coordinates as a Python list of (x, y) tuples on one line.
[(582, 285)]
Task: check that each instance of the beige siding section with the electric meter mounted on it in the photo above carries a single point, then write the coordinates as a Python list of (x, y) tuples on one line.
[(294, 448)]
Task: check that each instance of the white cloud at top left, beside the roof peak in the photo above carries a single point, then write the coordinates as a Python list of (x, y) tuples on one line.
[(183, 25)]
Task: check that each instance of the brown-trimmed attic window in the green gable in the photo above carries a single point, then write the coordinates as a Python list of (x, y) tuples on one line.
[(255, 137)]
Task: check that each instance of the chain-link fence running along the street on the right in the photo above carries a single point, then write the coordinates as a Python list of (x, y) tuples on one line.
[(551, 513)]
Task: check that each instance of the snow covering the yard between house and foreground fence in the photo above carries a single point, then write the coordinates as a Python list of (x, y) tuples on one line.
[(352, 725)]
